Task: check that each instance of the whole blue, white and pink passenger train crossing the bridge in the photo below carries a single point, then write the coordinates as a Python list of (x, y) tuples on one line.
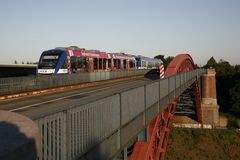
[(71, 60)]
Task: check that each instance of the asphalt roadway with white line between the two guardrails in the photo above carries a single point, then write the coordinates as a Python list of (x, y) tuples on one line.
[(34, 106)]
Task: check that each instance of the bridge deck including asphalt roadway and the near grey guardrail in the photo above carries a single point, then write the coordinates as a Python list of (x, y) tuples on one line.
[(98, 121)]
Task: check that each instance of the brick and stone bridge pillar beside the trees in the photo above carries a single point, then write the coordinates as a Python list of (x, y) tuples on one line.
[(209, 106)]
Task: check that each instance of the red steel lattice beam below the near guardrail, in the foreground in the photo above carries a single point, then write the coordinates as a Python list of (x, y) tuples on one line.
[(157, 146)]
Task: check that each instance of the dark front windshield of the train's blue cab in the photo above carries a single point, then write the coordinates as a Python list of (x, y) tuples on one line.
[(49, 60)]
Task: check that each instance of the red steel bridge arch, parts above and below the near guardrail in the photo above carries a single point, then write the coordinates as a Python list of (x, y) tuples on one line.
[(159, 128)]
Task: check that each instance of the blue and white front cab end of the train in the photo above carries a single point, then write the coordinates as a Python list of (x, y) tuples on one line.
[(53, 62)]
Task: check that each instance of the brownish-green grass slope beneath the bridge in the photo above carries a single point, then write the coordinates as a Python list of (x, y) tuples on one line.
[(203, 144)]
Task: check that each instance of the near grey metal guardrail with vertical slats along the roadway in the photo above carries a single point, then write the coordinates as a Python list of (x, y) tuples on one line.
[(101, 128)]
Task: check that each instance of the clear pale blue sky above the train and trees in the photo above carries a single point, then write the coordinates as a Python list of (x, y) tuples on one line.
[(201, 28)]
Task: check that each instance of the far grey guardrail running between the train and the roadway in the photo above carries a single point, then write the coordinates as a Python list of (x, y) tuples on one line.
[(25, 84)]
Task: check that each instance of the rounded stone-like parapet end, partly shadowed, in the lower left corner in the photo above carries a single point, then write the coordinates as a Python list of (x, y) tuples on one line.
[(19, 137)]
